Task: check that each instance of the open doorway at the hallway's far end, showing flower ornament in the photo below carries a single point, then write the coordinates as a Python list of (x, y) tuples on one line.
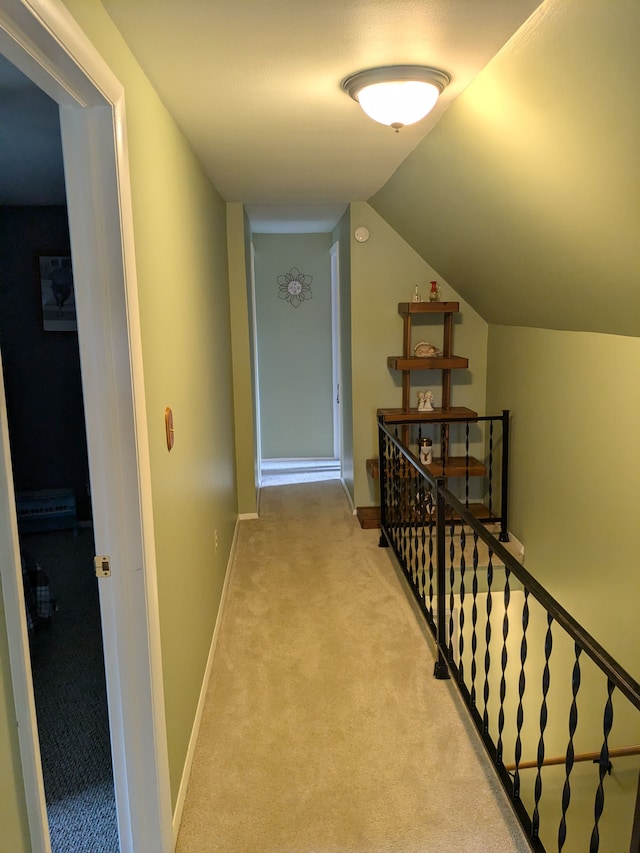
[(298, 382)]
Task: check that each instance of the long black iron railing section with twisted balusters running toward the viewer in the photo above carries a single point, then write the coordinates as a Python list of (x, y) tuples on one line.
[(560, 719)]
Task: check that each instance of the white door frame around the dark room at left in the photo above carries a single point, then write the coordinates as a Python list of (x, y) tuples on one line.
[(42, 39)]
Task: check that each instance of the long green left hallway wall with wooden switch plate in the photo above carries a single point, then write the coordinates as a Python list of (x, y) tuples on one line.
[(181, 258)]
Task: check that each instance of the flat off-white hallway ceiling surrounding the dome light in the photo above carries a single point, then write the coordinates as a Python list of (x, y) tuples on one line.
[(255, 86)]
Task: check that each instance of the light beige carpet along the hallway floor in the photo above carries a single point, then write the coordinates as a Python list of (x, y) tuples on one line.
[(324, 729)]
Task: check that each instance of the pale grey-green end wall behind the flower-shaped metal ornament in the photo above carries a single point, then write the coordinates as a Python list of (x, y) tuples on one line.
[(294, 348)]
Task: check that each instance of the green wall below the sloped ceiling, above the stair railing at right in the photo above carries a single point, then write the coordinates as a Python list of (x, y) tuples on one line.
[(575, 458)]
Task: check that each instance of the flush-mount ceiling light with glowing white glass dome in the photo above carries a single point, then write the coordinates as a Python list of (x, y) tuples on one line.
[(397, 94)]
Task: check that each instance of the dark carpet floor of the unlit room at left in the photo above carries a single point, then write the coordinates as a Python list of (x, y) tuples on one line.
[(69, 685)]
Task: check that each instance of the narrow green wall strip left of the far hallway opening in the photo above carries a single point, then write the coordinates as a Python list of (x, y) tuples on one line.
[(244, 398)]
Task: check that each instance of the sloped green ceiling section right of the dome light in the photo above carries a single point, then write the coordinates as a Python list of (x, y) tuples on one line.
[(526, 196)]
